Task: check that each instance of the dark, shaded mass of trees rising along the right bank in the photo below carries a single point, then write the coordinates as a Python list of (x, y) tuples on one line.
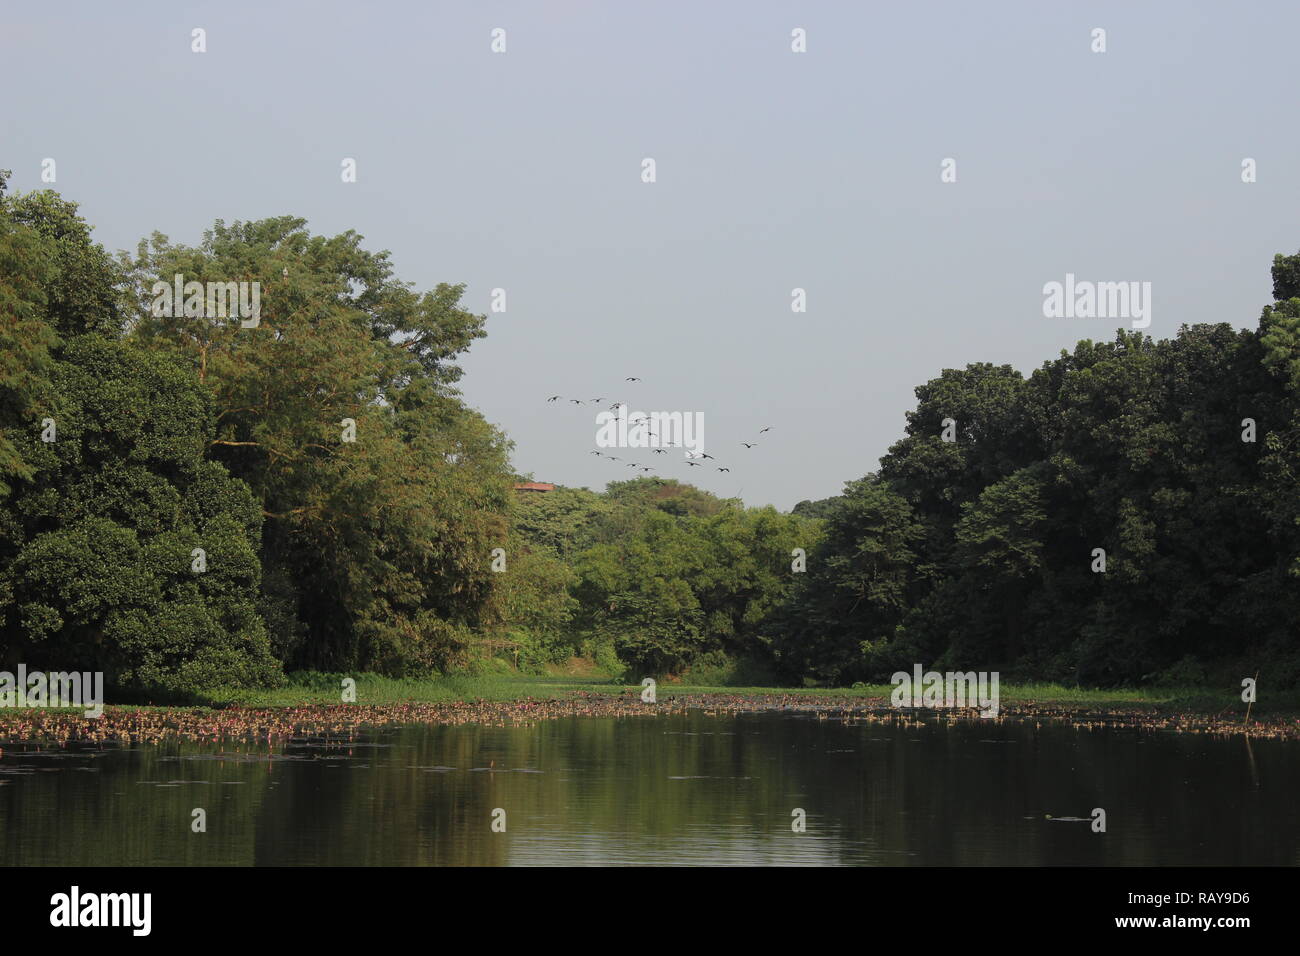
[(1177, 460)]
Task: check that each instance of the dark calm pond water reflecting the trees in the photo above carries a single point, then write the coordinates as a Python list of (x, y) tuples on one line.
[(686, 789)]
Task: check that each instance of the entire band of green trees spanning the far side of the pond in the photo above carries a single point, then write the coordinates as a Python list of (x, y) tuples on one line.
[(189, 500)]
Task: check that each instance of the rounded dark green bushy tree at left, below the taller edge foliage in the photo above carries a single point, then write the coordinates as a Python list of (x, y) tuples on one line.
[(101, 544)]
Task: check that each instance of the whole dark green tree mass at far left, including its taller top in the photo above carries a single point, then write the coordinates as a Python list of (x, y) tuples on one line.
[(110, 494)]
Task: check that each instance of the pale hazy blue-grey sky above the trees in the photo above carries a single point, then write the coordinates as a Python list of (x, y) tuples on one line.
[(775, 171)]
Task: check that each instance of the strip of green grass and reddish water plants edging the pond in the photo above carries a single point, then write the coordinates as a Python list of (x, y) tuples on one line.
[(313, 710)]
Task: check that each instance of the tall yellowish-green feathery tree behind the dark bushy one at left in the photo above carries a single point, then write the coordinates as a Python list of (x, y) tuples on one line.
[(383, 492)]
